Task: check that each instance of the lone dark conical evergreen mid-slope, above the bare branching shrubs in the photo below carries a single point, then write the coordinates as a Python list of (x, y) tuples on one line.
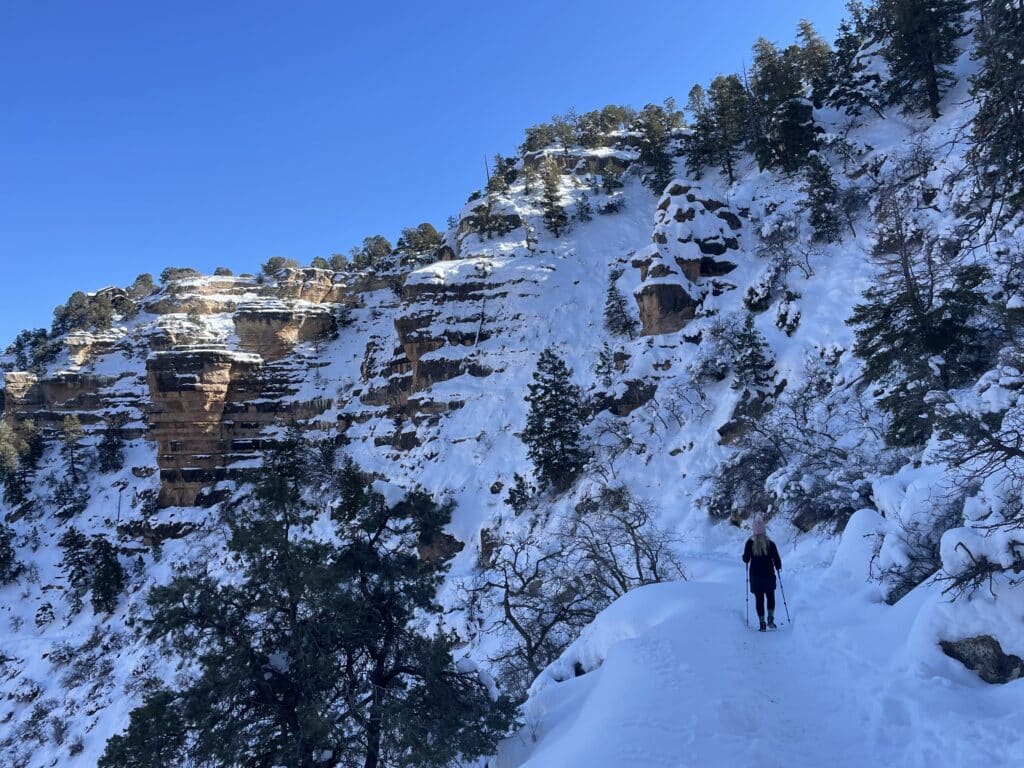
[(554, 425)]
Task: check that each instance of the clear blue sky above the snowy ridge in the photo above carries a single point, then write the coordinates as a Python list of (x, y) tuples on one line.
[(137, 136)]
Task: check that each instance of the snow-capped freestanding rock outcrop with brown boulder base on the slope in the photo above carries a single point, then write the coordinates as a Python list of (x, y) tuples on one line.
[(677, 271)]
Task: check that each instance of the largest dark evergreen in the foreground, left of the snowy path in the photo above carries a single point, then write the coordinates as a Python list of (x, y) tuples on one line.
[(320, 653)]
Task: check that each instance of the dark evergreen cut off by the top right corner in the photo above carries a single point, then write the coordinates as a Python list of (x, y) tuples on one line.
[(999, 87)]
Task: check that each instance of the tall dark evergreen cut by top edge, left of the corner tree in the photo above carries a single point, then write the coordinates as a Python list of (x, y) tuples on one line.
[(921, 47)]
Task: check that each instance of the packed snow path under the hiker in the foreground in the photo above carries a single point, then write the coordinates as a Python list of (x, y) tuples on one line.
[(675, 678)]
